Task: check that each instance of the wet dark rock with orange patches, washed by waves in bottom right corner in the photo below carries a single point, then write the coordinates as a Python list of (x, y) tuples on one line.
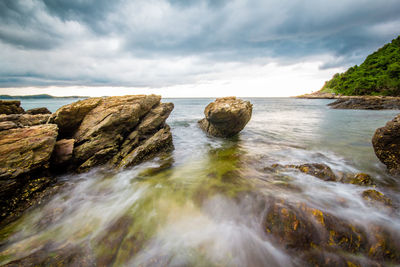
[(307, 231)]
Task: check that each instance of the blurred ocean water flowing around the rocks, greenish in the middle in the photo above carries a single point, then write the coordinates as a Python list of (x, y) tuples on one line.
[(196, 205)]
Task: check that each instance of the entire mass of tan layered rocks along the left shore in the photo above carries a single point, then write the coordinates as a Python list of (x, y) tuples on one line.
[(114, 131)]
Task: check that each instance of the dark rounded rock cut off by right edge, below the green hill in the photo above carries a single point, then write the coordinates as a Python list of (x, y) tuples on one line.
[(386, 143)]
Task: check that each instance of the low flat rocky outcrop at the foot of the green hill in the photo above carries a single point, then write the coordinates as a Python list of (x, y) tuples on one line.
[(366, 102)]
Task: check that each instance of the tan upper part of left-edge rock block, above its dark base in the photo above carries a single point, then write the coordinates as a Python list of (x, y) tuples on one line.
[(26, 149)]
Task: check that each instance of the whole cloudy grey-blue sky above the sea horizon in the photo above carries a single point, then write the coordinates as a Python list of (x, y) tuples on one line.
[(192, 48)]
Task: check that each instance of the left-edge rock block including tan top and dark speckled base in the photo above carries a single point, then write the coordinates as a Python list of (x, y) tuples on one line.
[(24, 159)]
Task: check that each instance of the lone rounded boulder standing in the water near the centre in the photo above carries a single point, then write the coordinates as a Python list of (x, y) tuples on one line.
[(226, 116)]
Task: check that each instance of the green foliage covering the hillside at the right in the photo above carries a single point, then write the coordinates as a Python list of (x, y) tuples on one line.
[(379, 74)]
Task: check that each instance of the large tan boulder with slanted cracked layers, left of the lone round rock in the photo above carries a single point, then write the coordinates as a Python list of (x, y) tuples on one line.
[(115, 129)]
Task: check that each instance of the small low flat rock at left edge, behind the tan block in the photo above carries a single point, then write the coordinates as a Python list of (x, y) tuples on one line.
[(21, 120)]
